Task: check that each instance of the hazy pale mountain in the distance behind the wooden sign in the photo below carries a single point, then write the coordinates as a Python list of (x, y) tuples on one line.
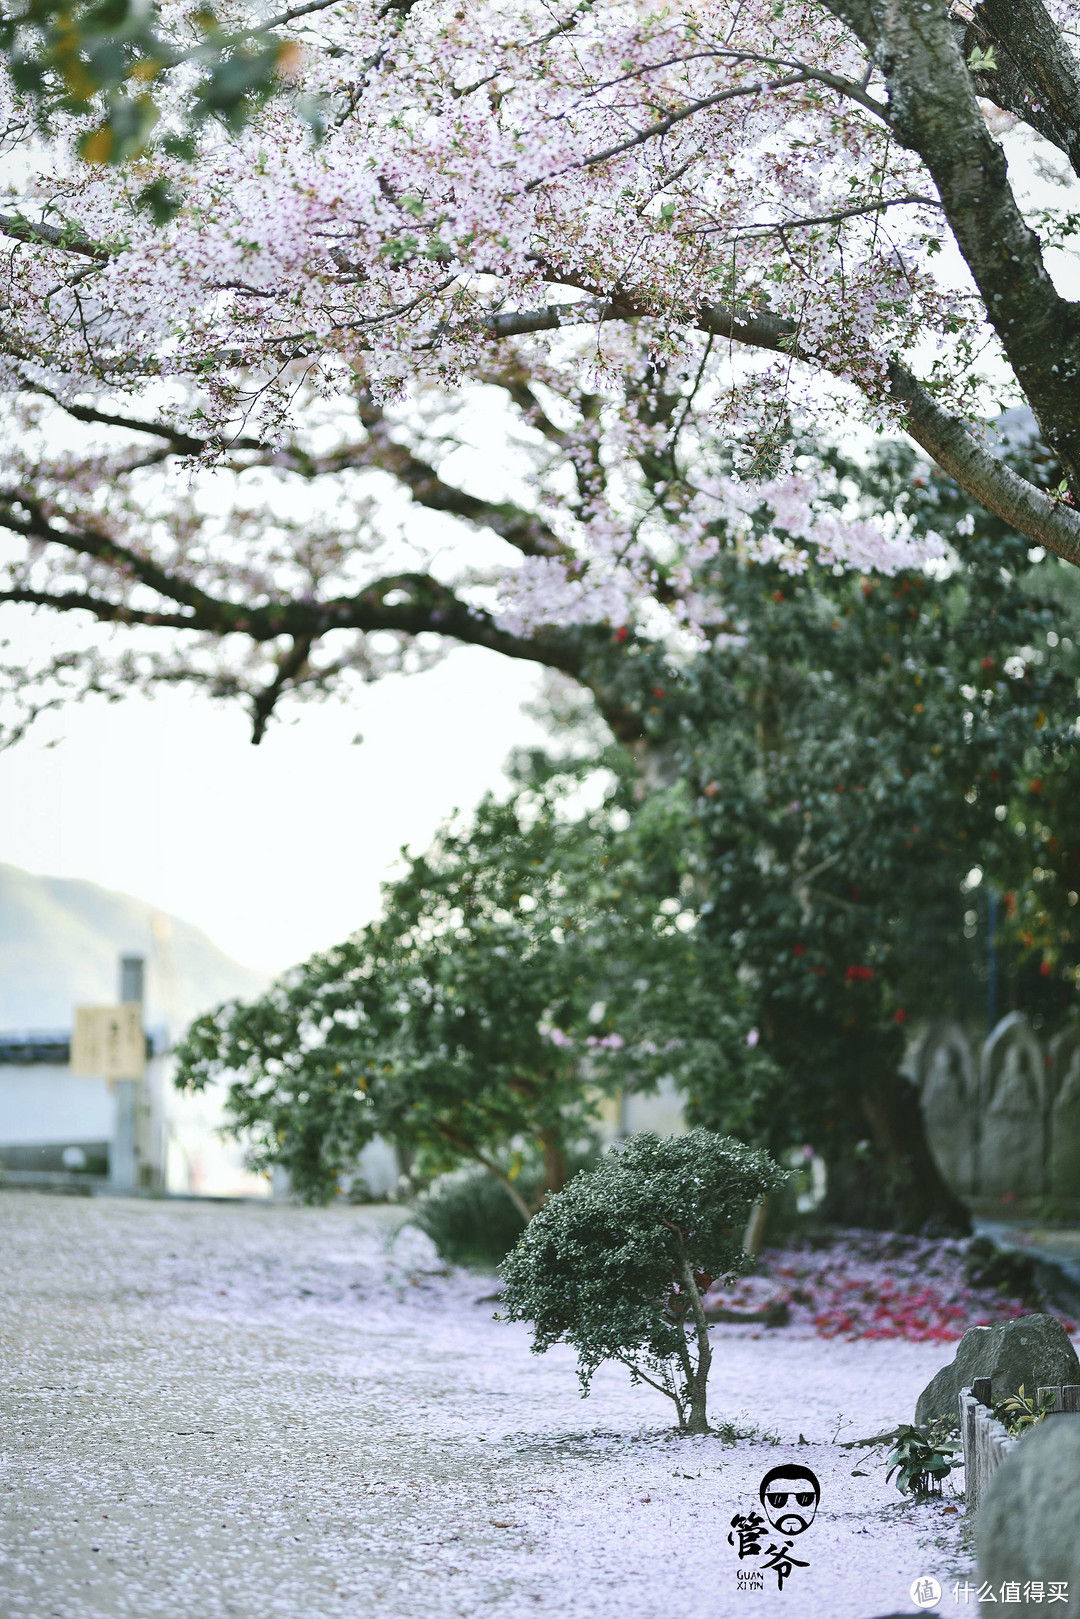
[(61, 941)]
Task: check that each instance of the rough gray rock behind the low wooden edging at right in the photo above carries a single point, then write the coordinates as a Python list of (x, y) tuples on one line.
[(1032, 1349)]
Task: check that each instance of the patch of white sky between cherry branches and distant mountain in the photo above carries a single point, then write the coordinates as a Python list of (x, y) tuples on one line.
[(274, 851)]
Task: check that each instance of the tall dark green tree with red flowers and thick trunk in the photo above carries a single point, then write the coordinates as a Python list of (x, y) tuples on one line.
[(859, 765)]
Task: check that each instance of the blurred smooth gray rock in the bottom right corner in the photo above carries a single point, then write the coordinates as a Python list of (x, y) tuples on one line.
[(1029, 1523)]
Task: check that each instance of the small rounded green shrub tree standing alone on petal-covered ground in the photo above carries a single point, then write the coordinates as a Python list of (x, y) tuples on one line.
[(616, 1262)]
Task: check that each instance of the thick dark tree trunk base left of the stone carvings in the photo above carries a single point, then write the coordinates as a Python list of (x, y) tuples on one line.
[(895, 1186)]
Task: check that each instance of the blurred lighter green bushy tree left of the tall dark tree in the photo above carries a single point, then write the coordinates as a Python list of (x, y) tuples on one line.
[(467, 1024)]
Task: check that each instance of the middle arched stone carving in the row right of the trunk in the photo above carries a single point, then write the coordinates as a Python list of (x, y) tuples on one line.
[(1013, 1092)]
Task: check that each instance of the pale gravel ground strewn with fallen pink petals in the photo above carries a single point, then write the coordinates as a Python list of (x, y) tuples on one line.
[(242, 1411)]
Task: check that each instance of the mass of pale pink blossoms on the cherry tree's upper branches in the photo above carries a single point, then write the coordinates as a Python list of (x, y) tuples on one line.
[(514, 184)]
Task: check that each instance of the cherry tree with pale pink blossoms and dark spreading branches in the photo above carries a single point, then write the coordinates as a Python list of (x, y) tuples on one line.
[(663, 239)]
